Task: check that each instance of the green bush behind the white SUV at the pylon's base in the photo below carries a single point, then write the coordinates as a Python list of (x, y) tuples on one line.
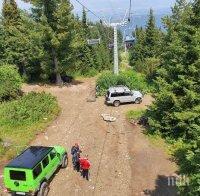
[(130, 79)]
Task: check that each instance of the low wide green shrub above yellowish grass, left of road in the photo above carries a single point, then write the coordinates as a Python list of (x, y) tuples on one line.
[(31, 108)]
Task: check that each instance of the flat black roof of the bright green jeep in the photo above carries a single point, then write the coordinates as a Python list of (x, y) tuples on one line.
[(30, 157)]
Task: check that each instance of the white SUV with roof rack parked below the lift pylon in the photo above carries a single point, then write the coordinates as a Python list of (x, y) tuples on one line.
[(122, 94)]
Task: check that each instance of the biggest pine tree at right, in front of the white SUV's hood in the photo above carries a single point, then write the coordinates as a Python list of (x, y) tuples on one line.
[(176, 109)]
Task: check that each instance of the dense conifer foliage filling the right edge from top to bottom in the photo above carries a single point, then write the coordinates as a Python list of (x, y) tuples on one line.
[(175, 112)]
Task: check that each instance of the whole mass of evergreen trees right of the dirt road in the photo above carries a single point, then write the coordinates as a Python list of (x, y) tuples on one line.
[(170, 58)]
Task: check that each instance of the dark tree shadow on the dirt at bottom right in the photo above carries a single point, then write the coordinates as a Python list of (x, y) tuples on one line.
[(164, 187)]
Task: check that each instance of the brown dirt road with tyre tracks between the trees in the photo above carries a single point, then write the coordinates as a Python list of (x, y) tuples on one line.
[(123, 160)]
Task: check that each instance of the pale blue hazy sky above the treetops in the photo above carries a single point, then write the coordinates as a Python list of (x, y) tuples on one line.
[(113, 6)]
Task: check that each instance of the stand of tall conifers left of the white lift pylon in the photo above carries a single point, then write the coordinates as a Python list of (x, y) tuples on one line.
[(50, 41)]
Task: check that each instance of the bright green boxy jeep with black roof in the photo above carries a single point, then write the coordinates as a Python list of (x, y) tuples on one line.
[(29, 173)]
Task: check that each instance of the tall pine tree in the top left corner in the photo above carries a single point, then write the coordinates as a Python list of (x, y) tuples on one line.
[(20, 38)]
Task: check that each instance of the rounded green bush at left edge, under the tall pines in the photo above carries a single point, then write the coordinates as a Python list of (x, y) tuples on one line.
[(10, 82)]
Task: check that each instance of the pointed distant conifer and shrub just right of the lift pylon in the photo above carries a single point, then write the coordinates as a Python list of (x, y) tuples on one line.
[(145, 55)]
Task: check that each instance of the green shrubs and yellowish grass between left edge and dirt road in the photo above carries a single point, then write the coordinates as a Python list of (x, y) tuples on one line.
[(22, 119)]
